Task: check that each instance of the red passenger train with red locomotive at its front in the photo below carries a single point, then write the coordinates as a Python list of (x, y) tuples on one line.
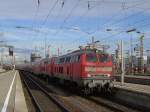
[(87, 69)]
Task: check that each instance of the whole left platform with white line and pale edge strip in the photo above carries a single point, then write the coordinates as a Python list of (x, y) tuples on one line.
[(11, 92)]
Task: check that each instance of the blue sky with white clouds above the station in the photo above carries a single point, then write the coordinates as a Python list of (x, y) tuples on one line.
[(67, 24)]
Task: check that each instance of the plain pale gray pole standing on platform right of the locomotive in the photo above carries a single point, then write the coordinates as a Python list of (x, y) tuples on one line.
[(122, 63)]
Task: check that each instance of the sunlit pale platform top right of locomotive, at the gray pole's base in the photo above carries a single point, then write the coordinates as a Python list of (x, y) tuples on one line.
[(144, 89)]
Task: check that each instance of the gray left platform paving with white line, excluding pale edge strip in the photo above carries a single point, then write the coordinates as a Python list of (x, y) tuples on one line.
[(6, 80)]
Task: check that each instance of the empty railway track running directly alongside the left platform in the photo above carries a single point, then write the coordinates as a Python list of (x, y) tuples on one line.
[(43, 101)]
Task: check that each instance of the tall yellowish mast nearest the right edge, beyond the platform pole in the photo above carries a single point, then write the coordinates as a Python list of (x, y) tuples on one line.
[(141, 54)]
